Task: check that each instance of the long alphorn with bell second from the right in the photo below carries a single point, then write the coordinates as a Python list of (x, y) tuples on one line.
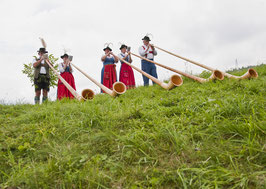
[(215, 75)]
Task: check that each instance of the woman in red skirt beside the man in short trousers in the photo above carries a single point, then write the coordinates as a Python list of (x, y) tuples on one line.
[(66, 72)]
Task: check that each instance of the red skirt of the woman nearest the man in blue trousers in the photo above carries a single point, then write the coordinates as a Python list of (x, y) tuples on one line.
[(127, 76)]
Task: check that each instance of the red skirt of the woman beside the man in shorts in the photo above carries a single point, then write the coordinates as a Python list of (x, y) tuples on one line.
[(62, 91)]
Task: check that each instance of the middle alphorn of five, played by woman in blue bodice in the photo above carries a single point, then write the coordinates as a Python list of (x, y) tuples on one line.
[(175, 80)]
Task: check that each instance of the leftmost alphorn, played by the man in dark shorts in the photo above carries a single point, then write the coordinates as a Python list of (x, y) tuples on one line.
[(73, 92)]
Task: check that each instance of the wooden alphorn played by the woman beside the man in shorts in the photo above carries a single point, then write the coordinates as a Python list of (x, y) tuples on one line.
[(118, 87)]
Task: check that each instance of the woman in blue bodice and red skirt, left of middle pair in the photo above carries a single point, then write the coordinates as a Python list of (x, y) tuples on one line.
[(108, 73)]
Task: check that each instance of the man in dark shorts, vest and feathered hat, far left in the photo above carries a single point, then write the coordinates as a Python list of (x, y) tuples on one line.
[(41, 76)]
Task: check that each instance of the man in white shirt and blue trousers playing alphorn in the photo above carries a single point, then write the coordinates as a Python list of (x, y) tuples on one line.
[(146, 66)]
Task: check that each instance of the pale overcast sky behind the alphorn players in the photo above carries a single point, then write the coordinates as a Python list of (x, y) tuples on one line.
[(213, 32)]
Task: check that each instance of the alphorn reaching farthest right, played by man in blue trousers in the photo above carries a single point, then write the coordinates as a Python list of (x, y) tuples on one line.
[(251, 73)]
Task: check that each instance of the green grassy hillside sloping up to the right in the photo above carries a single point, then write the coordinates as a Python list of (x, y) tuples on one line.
[(208, 135)]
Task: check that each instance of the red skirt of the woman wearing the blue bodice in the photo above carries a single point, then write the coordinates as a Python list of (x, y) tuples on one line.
[(109, 76)]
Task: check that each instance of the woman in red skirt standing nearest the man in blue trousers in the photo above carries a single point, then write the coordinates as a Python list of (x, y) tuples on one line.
[(126, 72)]
